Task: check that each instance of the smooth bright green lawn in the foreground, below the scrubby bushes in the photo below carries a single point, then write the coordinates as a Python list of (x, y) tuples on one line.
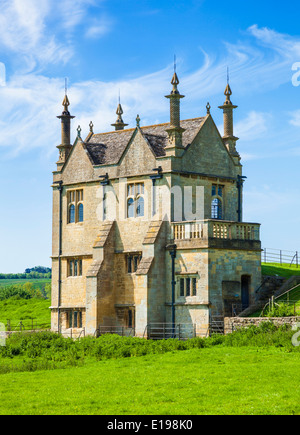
[(218, 380)]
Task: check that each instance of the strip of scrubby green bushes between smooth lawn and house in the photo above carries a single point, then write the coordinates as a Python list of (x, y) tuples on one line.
[(48, 350)]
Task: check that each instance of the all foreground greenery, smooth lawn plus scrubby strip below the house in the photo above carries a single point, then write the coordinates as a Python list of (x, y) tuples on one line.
[(253, 371)]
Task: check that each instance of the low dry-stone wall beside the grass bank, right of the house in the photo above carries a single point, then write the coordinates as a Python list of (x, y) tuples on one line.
[(233, 323)]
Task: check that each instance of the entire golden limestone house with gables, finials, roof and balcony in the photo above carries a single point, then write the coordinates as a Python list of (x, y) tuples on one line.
[(147, 226)]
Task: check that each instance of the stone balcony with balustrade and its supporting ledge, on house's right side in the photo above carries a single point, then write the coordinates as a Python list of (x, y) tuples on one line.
[(216, 234)]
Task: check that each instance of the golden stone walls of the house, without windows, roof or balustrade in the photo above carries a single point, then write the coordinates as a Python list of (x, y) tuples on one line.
[(106, 289)]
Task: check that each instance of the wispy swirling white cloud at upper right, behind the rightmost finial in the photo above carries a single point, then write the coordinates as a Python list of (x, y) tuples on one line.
[(260, 65)]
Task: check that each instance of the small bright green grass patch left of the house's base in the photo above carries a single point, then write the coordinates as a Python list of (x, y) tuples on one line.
[(24, 310)]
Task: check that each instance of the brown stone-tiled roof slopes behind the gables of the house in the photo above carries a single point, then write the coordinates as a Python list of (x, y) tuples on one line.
[(108, 148)]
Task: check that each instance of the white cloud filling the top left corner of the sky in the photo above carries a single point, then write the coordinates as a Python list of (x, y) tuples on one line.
[(33, 30)]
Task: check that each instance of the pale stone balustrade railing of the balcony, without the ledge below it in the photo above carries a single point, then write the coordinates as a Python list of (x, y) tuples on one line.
[(216, 230)]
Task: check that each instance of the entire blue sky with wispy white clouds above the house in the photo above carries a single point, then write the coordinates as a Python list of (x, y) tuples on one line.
[(106, 45)]
